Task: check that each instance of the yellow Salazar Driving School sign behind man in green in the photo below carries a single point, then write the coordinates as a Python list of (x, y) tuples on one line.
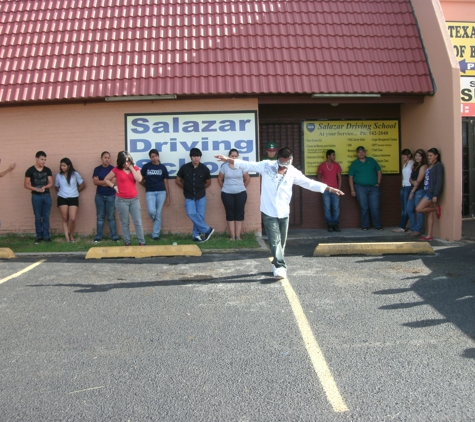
[(379, 137)]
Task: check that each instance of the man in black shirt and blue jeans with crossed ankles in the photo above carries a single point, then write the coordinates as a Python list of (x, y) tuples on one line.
[(194, 178)]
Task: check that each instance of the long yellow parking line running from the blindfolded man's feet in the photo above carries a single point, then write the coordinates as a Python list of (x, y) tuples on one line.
[(316, 355)]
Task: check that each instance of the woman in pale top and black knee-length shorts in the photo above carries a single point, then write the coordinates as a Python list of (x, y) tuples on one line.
[(233, 184)]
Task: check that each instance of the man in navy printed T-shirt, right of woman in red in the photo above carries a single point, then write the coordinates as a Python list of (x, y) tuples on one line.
[(155, 180)]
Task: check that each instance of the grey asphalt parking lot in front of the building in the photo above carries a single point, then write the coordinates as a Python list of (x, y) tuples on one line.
[(217, 338)]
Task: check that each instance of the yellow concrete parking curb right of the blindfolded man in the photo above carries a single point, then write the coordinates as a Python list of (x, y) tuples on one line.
[(381, 248)]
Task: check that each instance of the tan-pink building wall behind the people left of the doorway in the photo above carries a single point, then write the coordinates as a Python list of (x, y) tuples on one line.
[(81, 132)]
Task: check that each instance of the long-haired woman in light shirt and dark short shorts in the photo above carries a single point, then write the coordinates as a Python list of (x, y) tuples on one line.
[(68, 184)]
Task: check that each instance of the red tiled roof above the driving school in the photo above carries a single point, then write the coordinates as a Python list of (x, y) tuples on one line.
[(87, 49)]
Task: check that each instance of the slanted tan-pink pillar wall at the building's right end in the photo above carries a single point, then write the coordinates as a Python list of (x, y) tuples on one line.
[(437, 123)]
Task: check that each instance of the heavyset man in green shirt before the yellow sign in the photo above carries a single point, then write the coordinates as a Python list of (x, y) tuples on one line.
[(364, 177)]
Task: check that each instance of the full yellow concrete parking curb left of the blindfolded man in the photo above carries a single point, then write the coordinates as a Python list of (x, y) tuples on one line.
[(142, 251)]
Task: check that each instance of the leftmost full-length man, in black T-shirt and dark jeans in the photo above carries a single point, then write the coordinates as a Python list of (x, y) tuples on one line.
[(39, 179)]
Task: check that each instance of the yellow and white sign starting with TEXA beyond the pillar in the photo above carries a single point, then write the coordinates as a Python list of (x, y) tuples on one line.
[(462, 35)]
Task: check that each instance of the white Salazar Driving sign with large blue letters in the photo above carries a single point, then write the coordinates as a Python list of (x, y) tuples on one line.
[(173, 135)]
